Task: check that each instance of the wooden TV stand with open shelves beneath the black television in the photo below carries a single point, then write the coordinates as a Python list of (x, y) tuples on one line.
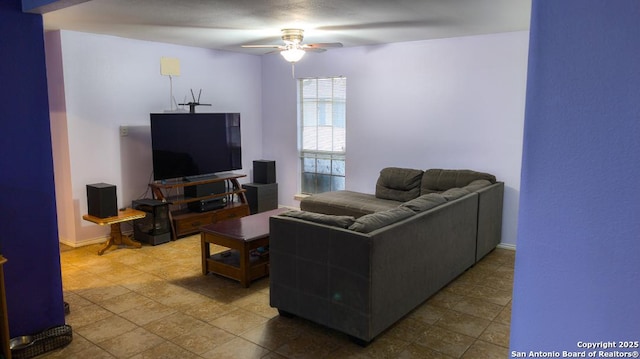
[(183, 221)]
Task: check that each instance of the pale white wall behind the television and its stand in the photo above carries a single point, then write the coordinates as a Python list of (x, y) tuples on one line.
[(109, 82)]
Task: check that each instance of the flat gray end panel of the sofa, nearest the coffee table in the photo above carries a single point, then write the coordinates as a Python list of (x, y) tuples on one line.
[(321, 273)]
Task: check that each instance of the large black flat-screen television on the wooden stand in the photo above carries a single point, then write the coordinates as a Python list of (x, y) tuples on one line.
[(194, 144)]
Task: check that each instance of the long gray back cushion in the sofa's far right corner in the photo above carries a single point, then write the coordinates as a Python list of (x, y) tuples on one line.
[(438, 180)]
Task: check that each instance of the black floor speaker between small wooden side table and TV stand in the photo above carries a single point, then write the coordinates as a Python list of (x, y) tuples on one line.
[(155, 227)]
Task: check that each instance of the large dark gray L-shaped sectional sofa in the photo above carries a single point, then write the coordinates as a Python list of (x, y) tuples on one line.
[(359, 262)]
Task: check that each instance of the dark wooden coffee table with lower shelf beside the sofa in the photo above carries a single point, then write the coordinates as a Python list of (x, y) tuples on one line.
[(242, 236)]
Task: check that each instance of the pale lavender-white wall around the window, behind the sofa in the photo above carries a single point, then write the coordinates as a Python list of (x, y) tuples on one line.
[(450, 103)]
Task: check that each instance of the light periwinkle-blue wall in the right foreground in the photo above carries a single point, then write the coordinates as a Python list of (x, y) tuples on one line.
[(577, 275)]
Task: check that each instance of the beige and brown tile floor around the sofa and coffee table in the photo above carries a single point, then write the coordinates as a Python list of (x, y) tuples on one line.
[(154, 302)]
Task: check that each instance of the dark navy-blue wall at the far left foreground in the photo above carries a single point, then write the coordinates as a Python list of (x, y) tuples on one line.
[(28, 229)]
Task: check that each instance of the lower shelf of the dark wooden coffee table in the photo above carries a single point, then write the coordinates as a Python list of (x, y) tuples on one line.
[(227, 264)]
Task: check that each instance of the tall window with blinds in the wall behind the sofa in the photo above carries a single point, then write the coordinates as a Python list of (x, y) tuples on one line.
[(322, 131)]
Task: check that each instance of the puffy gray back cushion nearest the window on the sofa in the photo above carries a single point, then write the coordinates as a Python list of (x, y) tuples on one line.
[(398, 184)]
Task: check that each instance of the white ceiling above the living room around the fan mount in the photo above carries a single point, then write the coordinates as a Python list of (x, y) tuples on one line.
[(228, 24)]
